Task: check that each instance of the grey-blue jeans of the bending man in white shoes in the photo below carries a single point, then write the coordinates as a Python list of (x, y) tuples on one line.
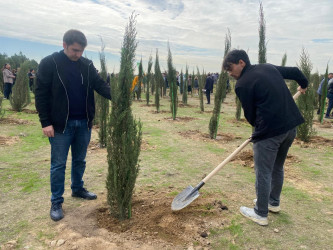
[(269, 157)]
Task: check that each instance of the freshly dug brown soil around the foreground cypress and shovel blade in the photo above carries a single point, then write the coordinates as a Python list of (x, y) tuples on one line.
[(153, 220)]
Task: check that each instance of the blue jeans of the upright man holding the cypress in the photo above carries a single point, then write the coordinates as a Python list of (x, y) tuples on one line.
[(76, 136)]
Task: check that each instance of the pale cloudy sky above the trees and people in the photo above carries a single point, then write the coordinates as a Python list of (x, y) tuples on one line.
[(195, 30)]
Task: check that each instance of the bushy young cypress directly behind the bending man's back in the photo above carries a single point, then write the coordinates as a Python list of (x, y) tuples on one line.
[(305, 102)]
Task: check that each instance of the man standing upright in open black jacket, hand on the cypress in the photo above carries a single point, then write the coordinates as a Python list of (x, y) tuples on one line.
[(64, 98)]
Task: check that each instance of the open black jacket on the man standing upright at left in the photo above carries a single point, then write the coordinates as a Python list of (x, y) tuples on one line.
[(51, 96)]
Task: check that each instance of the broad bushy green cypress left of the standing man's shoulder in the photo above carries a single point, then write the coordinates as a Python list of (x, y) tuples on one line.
[(20, 97)]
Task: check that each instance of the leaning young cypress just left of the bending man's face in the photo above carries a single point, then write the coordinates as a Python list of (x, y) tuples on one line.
[(220, 92)]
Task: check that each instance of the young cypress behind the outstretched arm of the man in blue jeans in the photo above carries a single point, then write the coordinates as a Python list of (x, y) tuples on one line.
[(103, 103)]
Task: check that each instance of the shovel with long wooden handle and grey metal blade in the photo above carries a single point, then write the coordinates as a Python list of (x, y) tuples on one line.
[(189, 194)]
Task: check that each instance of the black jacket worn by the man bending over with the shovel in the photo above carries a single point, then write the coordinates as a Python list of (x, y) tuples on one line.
[(266, 99)]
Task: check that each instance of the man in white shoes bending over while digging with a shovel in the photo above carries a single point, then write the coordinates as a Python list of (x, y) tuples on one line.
[(270, 109)]
